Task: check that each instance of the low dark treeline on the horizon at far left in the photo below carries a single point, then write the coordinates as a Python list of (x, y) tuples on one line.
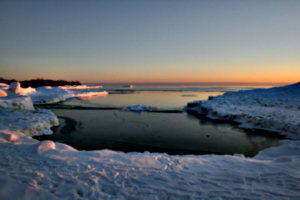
[(39, 82)]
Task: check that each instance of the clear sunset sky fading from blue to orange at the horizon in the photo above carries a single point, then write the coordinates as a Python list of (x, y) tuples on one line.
[(151, 41)]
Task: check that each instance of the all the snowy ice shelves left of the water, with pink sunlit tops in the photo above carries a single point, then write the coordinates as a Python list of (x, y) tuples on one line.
[(17, 112)]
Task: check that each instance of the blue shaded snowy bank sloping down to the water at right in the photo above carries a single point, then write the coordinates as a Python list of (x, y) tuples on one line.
[(275, 109)]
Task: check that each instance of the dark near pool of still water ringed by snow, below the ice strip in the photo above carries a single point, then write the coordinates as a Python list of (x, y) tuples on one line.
[(174, 133)]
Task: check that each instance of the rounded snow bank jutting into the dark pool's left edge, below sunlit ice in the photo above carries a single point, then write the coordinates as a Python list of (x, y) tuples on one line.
[(30, 122)]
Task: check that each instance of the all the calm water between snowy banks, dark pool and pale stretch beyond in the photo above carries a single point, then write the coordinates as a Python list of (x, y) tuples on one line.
[(173, 133)]
